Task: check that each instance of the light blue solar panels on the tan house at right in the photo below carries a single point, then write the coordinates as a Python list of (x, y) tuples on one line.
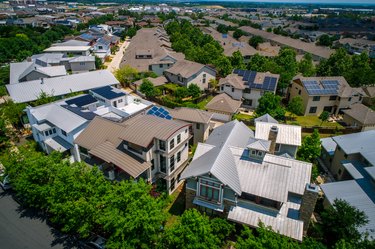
[(327, 87)]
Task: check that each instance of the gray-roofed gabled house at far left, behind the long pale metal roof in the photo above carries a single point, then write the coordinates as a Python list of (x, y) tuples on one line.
[(28, 71)]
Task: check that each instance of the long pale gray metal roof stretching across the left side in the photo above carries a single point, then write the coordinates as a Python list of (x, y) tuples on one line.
[(57, 86)]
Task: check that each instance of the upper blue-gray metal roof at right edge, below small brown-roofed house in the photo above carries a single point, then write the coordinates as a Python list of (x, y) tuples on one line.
[(362, 142)]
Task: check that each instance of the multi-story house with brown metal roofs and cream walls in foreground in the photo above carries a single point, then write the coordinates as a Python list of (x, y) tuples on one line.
[(144, 146)]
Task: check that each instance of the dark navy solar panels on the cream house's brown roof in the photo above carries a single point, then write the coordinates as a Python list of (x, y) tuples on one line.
[(269, 83)]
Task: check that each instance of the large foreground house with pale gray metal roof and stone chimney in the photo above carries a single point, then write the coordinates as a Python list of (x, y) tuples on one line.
[(236, 176)]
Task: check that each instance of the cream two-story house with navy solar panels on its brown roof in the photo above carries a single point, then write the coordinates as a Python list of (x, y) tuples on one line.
[(248, 86)]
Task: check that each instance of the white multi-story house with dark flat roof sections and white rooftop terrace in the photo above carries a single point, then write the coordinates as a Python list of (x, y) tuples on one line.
[(56, 125)]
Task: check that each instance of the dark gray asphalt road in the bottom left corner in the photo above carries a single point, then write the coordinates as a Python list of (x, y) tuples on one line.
[(25, 228)]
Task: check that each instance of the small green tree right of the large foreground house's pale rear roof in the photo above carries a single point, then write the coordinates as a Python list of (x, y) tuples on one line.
[(310, 148)]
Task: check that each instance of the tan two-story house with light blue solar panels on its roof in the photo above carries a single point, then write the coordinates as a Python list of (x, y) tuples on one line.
[(331, 94)]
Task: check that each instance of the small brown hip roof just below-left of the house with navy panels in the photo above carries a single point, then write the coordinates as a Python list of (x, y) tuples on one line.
[(224, 103)]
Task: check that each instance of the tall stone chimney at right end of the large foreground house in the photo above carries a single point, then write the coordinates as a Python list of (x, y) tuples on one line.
[(309, 198)]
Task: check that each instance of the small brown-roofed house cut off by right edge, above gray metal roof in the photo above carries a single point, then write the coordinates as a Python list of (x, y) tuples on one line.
[(359, 116)]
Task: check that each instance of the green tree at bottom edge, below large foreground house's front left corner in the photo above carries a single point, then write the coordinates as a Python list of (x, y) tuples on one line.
[(194, 230)]
